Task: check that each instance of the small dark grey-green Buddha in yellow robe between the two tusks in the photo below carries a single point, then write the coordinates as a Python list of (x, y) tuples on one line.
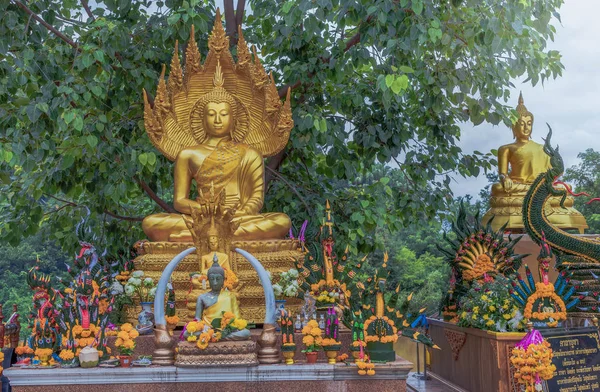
[(213, 304)]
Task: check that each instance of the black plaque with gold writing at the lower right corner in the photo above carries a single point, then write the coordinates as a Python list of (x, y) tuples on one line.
[(577, 360)]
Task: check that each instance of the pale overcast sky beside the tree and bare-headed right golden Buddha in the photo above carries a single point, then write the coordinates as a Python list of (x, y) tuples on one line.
[(570, 104)]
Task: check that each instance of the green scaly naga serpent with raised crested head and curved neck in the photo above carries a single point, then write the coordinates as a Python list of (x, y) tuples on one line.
[(577, 256)]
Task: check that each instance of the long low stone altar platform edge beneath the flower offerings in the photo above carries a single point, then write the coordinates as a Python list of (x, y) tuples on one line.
[(264, 378)]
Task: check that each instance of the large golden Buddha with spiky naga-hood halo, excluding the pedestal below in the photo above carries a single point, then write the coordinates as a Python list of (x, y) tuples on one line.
[(218, 133)]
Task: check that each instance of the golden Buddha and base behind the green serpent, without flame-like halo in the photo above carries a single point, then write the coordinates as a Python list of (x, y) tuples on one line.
[(519, 164)]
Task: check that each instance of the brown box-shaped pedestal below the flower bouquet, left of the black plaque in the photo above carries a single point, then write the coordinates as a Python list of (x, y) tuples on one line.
[(473, 359)]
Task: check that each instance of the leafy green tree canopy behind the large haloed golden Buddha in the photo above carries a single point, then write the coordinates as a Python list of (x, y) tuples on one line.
[(373, 83)]
